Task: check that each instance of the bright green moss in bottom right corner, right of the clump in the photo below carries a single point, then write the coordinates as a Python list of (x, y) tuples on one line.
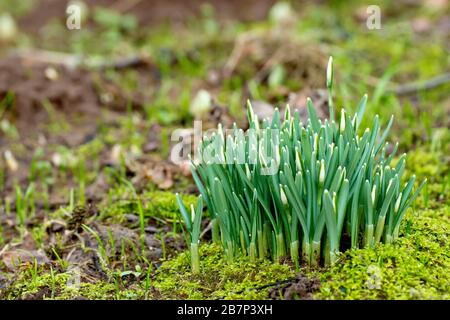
[(415, 267)]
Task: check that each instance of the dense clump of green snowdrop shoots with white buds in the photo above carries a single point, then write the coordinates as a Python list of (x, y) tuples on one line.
[(282, 182)]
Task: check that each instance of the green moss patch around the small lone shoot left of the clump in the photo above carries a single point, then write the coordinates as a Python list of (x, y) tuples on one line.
[(217, 279)]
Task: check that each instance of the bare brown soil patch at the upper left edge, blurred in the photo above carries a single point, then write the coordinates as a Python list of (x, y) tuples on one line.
[(72, 91)]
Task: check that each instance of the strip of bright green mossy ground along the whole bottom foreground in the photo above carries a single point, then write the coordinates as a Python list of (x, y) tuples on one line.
[(415, 267)]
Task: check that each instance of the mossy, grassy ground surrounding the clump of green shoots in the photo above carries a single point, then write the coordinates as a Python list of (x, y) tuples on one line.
[(98, 170)]
